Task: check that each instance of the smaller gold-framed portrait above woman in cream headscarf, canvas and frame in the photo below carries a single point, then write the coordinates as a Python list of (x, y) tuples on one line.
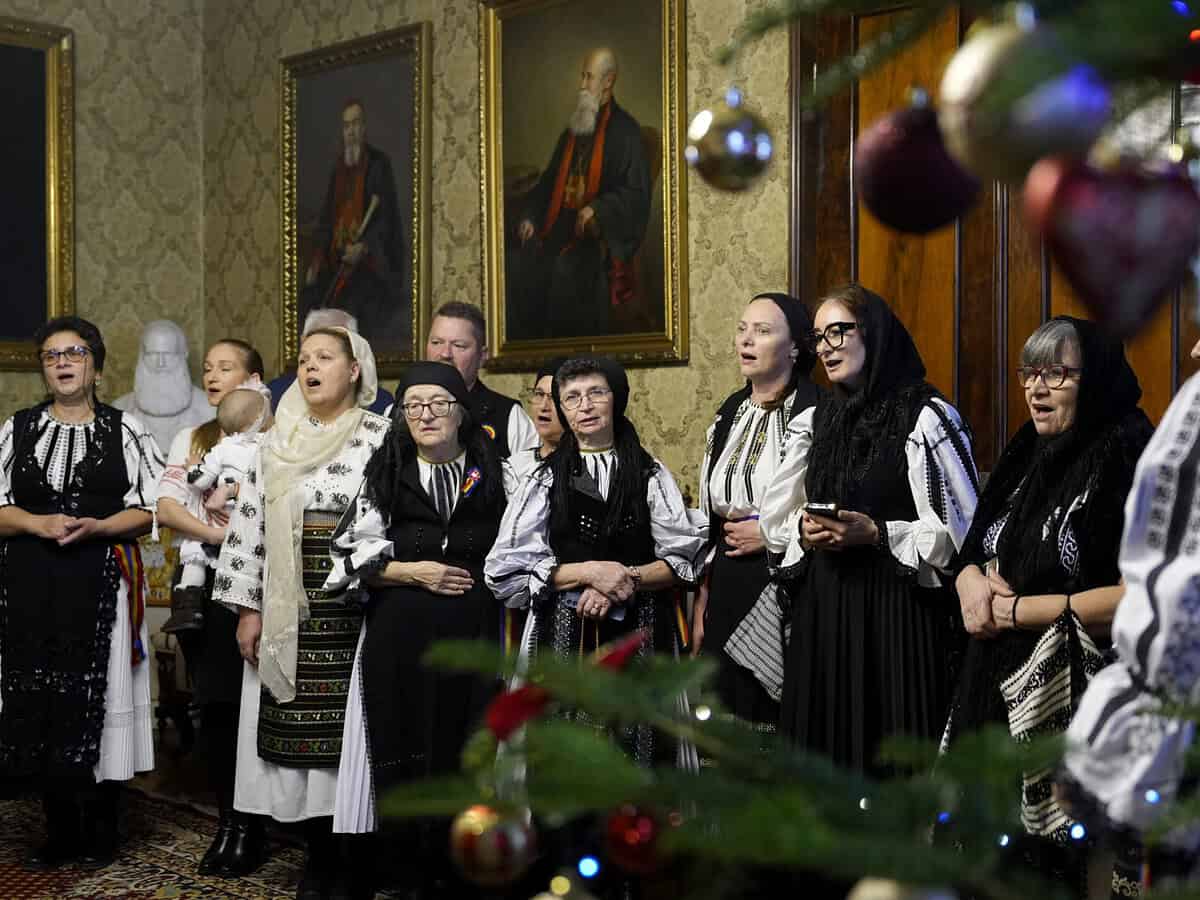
[(387, 76)]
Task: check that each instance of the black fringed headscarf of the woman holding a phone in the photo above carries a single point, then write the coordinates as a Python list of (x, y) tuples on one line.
[(854, 429)]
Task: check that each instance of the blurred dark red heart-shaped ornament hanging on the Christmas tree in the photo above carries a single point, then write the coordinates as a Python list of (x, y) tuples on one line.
[(1124, 239)]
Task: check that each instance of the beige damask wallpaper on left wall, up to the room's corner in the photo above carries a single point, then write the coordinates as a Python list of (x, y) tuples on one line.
[(140, 170)]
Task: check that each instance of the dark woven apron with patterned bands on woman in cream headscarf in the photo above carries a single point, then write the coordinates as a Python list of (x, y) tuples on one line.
[(308, 733)]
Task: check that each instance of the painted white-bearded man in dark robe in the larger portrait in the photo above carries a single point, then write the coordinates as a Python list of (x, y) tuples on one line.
[(585, 219)]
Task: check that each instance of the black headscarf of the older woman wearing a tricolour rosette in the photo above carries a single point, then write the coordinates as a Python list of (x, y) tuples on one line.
[(382, 477)]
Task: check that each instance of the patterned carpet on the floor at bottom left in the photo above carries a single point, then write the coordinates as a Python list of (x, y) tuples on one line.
[(163, 845)]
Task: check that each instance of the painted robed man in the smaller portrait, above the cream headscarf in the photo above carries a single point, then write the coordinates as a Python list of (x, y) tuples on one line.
[(358, 265)]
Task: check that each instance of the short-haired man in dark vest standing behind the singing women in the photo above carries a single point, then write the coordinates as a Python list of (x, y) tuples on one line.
[(459, 337)]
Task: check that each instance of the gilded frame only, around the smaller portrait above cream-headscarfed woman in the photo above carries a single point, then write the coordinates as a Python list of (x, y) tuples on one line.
[(415, 40)]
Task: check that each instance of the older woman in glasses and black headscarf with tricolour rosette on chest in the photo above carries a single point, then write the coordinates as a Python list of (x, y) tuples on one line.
[(411, 553)]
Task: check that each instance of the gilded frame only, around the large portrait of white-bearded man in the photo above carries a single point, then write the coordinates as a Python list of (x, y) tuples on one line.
[(669, 346)]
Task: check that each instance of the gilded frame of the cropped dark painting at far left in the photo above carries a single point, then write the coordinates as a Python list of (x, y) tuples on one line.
[(58, 45)]
